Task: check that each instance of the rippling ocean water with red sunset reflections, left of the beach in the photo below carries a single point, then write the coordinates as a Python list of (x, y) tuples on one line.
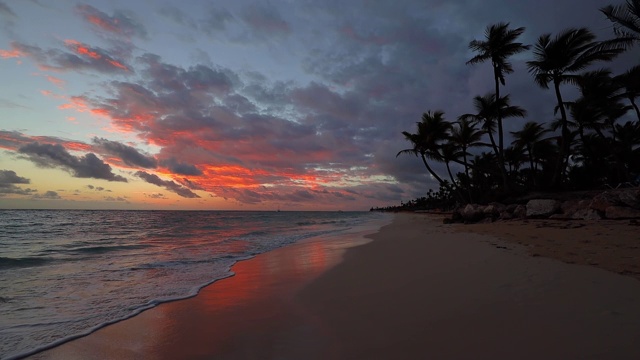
[(66, 273)]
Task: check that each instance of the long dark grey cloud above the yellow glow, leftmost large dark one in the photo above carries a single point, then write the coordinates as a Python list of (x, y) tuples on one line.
[(56, 156)]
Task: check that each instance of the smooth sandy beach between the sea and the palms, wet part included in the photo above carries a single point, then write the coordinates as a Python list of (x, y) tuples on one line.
[(419, 290)]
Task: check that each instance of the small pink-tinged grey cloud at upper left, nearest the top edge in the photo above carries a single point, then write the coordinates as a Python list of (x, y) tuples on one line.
[(121, 23)]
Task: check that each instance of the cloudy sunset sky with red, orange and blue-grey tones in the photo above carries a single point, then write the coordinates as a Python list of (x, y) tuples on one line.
[(246, 105)]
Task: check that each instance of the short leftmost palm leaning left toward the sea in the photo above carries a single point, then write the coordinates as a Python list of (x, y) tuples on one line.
[(432, 130)]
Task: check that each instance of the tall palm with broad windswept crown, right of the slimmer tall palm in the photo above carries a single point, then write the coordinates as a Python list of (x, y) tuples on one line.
[(557, 60)]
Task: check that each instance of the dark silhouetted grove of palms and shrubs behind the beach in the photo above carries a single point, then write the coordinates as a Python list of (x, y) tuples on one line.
[(593, 143)]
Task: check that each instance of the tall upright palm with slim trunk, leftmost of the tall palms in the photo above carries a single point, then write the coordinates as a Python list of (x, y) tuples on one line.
[(499, 44)]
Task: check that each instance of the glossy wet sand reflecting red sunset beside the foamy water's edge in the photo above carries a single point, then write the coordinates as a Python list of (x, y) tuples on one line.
[(251, 314)]
